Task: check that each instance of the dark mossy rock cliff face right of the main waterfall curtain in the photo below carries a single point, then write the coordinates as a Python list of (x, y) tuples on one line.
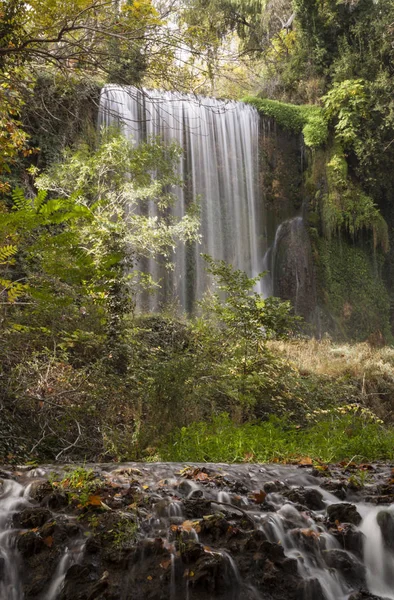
[(340, 285)]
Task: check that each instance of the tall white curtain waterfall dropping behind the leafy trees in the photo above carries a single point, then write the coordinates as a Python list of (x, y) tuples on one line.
[(220, 169)]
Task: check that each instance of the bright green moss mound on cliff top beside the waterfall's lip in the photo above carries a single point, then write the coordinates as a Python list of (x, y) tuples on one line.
[(306, 119)]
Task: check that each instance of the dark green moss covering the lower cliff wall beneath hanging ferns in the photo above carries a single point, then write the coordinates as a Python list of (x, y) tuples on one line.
[(351, 289)]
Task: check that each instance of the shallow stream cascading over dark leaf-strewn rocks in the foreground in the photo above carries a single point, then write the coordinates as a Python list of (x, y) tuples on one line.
[(240, 532)]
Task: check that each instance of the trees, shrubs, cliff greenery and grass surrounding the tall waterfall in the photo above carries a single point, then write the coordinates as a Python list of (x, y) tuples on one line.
[(83, 376)]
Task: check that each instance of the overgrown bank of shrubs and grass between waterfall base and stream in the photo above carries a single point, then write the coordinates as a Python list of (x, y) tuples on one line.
[(308, 399)]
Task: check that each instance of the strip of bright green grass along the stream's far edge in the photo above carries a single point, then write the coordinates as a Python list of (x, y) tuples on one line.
[(329, 440)]
